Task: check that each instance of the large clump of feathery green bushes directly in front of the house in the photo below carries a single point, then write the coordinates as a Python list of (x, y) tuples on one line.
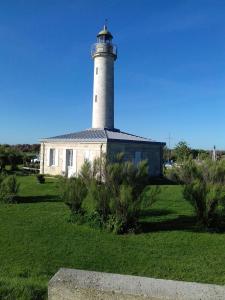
[(109, 195)]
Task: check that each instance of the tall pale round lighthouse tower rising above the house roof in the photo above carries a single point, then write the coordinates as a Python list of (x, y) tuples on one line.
[(104, 53)]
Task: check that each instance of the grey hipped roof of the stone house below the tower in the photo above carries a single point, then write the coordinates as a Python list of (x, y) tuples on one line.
[(99, 135)]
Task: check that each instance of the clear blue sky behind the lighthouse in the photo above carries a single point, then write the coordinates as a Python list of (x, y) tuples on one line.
[(169, 75)]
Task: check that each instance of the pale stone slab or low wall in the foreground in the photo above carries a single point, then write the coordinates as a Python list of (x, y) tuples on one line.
[(71, 284)]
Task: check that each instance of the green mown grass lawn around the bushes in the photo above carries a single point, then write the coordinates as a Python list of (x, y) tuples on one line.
[(36, 239)]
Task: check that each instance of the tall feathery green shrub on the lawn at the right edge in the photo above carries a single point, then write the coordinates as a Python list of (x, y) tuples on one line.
[(204, 189)]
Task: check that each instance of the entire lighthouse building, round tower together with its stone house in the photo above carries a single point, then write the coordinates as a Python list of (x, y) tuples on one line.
[(65, 154)]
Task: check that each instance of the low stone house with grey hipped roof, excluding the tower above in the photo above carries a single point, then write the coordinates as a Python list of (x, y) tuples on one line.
[(65, 154)]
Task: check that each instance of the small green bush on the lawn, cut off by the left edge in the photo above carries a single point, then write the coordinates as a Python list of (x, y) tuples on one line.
[(8, 188)]
